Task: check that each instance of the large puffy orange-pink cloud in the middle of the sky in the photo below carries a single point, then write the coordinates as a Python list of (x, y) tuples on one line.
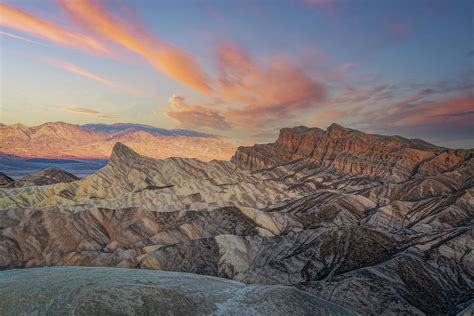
[(274, 91)]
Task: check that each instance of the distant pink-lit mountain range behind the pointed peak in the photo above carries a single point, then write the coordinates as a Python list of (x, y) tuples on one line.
[(63, 140)]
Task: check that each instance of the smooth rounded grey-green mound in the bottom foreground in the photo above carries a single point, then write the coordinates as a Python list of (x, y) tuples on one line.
[(106, 291)]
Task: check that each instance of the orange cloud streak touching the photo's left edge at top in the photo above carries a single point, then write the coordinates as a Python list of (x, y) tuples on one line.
[(20, 20)]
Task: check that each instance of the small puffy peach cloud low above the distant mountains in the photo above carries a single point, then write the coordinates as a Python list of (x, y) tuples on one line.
[(195, 116)]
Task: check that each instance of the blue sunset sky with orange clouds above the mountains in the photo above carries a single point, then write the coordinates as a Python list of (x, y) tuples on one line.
[(243, 68)]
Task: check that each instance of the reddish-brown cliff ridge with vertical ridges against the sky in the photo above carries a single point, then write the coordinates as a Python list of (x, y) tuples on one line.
[(393, 158)]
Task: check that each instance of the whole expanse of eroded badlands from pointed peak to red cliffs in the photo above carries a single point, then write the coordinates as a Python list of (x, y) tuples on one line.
[(376, 224)]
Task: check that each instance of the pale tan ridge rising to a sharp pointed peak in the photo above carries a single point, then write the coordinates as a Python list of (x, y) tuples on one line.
[(130, 180)]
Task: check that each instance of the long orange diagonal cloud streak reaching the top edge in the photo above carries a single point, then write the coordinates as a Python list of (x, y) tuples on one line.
[(162, 56)]
